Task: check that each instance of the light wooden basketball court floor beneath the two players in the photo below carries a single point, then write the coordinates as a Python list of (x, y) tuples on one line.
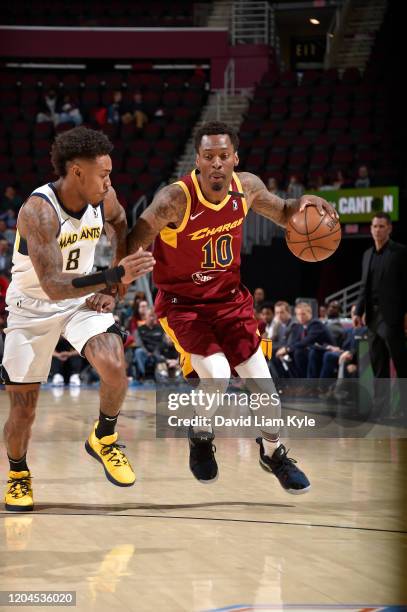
[(172, 544)]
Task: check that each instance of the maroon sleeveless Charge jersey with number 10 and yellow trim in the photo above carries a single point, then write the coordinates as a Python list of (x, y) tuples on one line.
[(200, 259)]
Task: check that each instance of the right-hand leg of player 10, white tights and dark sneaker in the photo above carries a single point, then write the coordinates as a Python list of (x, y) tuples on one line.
[(273, 455)]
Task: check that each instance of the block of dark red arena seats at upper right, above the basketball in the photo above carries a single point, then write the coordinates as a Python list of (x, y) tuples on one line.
[(323, 122)]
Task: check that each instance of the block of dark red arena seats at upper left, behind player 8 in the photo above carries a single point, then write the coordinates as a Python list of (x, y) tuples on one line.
[(142, 159)]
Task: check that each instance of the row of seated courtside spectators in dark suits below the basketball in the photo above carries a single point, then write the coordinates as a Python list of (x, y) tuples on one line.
[(310, 345)]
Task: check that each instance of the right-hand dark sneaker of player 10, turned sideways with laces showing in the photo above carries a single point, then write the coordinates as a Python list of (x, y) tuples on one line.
[(290, 477)]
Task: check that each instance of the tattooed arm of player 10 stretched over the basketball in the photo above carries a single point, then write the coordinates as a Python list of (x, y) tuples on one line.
[(261, 201)]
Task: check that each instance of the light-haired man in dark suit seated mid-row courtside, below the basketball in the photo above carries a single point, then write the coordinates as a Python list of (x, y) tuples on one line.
[(308, 334)]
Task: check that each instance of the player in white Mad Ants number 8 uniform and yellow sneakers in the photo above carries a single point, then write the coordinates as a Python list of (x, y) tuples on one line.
[(57, 231)]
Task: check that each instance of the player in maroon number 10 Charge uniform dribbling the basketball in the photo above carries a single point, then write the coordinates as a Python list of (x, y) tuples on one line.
[(197, 227)]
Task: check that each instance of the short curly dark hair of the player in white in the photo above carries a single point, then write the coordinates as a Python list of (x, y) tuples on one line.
[(78, 142)]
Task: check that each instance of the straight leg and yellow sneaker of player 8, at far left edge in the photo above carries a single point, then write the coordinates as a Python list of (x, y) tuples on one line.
[(17, 433)]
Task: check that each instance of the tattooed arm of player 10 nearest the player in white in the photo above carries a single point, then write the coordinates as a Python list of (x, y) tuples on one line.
[(167, 208)]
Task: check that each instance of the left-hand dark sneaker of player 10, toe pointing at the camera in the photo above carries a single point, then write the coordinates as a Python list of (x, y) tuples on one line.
[(202, 462)]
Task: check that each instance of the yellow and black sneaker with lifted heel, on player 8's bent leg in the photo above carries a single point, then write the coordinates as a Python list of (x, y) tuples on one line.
[(115, 463)]
